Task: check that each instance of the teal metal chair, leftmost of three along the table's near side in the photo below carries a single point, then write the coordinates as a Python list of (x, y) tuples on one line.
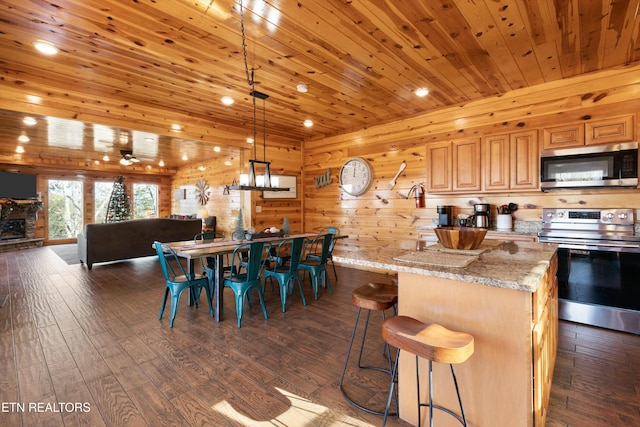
[(242, 283)]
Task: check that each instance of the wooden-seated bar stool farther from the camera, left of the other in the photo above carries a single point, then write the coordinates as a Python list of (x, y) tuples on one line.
[(372, 296)]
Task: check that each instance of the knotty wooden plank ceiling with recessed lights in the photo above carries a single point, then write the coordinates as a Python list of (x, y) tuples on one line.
[(145, 65)]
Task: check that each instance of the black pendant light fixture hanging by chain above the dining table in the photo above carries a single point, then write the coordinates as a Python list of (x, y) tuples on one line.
[(255, 182)]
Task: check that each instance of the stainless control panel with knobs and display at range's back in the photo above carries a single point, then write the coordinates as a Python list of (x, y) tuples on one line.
[(621, 216)]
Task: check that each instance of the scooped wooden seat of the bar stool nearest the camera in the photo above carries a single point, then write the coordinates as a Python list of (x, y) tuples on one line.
[(427, 340)]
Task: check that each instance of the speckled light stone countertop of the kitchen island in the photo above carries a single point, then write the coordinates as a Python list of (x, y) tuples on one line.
[(511, 265)]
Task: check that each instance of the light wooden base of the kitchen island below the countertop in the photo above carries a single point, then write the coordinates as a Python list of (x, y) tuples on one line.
[(507, 381)]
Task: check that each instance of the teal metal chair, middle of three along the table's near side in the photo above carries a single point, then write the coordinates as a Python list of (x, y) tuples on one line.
[(284, 268)]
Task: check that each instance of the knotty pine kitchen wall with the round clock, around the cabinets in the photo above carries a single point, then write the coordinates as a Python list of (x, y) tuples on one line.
[(383, 217)]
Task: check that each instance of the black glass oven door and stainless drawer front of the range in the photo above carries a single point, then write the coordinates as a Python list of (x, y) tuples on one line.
[(600, 288)]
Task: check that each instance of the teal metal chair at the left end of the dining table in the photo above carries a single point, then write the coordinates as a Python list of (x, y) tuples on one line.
[(177, 283)]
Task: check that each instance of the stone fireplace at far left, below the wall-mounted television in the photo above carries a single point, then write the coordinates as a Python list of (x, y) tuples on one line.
[(18, 227)]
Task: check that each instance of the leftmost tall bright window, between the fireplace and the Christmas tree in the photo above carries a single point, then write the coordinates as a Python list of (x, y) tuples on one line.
[(65, 209)]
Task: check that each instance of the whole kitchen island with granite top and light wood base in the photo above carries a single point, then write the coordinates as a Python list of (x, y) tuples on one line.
[(505, 295)]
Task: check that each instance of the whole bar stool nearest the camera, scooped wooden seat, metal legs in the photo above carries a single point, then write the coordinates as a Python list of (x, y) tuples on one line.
[(434, 343)]
